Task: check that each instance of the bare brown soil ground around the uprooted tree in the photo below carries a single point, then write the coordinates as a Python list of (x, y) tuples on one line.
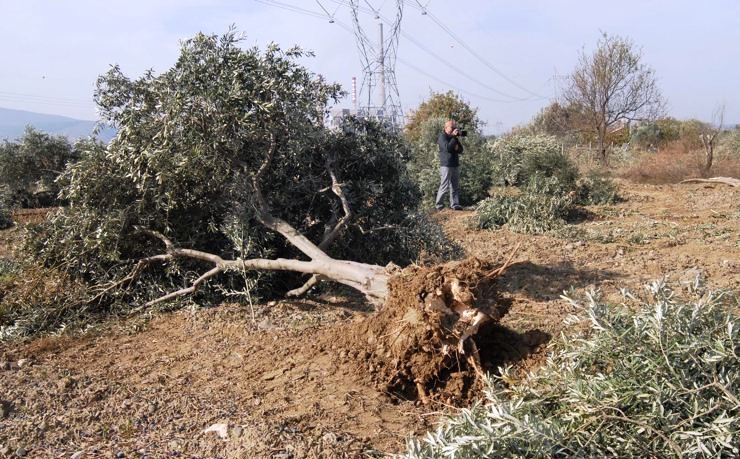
[(277, 380)]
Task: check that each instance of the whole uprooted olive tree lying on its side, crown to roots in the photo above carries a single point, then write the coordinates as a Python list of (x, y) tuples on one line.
[(222, 177)]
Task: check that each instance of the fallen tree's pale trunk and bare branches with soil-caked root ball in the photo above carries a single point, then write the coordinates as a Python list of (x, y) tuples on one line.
[(430, 340)]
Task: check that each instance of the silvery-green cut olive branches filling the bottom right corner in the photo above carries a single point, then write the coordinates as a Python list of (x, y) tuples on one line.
[(656, 377)]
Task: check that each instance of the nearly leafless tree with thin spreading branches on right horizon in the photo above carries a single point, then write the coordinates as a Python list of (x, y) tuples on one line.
[(612, 85)]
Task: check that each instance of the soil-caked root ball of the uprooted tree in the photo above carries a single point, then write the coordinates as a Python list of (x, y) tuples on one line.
[(423, 344)]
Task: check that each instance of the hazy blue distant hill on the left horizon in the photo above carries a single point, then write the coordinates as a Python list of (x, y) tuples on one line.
[(13, 124)]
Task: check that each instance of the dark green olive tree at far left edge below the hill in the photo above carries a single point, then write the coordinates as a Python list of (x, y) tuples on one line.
[(30, 166)]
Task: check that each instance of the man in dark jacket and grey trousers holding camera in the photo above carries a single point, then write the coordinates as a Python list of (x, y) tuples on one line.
[(450, 149)]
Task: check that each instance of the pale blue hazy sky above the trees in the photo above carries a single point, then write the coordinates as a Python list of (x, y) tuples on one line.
[(507, 58)]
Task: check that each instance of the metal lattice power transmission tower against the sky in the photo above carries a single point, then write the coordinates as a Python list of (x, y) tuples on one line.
[(379, 89)]
